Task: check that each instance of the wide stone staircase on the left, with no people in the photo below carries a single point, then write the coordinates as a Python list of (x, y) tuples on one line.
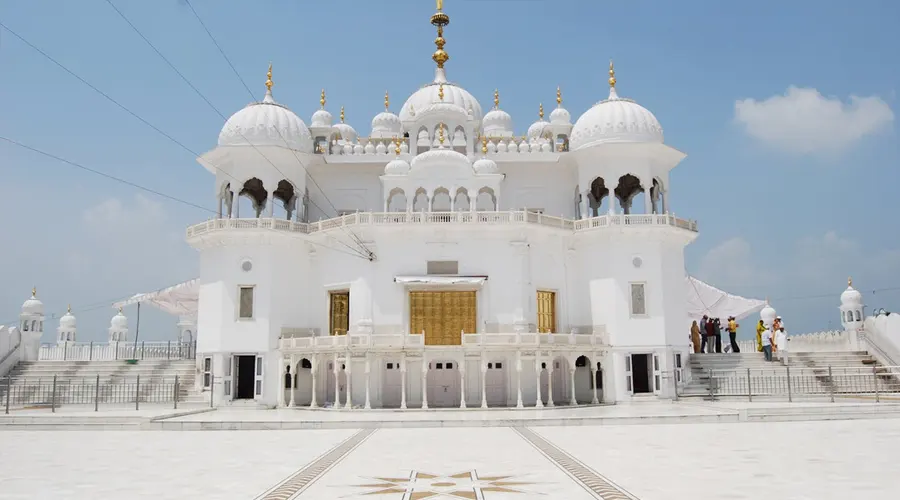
[(152, 381)]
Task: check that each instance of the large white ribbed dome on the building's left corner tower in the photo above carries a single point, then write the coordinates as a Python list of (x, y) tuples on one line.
[(266, 123)]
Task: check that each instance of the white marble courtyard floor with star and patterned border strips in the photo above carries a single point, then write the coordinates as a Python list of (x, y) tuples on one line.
[(779, 460)]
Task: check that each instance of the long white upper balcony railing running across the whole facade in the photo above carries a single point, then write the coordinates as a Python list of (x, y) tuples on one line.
[(512, 217)]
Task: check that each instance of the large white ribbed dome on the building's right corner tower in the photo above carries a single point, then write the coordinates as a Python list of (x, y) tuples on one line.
[(615, 120)]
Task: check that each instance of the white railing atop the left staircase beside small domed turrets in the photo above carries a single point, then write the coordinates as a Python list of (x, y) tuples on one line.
[(91, 351)]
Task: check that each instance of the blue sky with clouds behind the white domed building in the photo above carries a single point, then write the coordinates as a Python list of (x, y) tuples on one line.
[(785, 109)]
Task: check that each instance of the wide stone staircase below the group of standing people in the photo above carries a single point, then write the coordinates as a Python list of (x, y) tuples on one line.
[(811, 373)]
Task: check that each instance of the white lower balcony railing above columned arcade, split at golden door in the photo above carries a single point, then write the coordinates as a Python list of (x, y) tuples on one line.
[(417, 341)]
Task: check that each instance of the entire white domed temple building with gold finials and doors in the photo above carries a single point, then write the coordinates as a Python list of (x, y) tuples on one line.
[(442, 261)]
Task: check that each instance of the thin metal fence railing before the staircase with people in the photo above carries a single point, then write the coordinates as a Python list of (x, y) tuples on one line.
[(789, 383)]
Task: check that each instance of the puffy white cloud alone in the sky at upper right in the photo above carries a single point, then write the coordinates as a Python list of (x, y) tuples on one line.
[(806, 122)]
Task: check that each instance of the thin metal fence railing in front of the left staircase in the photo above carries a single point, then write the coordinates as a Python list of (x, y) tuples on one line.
[(53, 392)]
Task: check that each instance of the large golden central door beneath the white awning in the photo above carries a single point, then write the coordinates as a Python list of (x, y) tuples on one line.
[(442, 315)]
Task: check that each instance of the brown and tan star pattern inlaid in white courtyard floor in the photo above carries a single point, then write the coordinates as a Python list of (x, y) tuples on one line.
[(463, 485)]
